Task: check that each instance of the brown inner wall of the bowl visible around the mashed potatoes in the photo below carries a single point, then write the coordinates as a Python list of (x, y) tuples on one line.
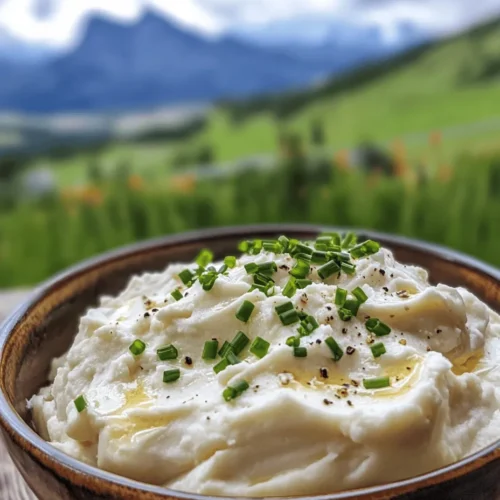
[(51, 320)]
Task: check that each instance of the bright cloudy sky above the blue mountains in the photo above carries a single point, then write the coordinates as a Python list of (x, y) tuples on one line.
[(58, 23)]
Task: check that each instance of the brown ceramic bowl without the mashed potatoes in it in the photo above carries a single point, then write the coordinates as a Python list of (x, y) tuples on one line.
[(45, 325)]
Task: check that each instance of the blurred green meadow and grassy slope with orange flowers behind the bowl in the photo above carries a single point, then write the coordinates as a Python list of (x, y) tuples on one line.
[(409, 146)]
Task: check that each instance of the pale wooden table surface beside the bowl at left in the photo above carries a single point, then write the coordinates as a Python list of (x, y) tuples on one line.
[(12, 485)]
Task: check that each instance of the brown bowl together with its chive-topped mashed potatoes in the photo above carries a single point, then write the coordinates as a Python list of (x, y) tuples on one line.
[(259, 362)]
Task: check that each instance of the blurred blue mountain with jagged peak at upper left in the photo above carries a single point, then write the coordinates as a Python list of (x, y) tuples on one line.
[(152, 62)]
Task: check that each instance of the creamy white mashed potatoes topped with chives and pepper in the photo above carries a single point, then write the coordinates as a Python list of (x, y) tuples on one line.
[(408, 384)]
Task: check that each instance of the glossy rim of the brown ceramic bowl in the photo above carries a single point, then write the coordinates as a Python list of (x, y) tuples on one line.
[(51, 457)]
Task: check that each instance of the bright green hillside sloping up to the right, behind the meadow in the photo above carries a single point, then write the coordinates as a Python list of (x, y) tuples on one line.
[(447, 83)]
